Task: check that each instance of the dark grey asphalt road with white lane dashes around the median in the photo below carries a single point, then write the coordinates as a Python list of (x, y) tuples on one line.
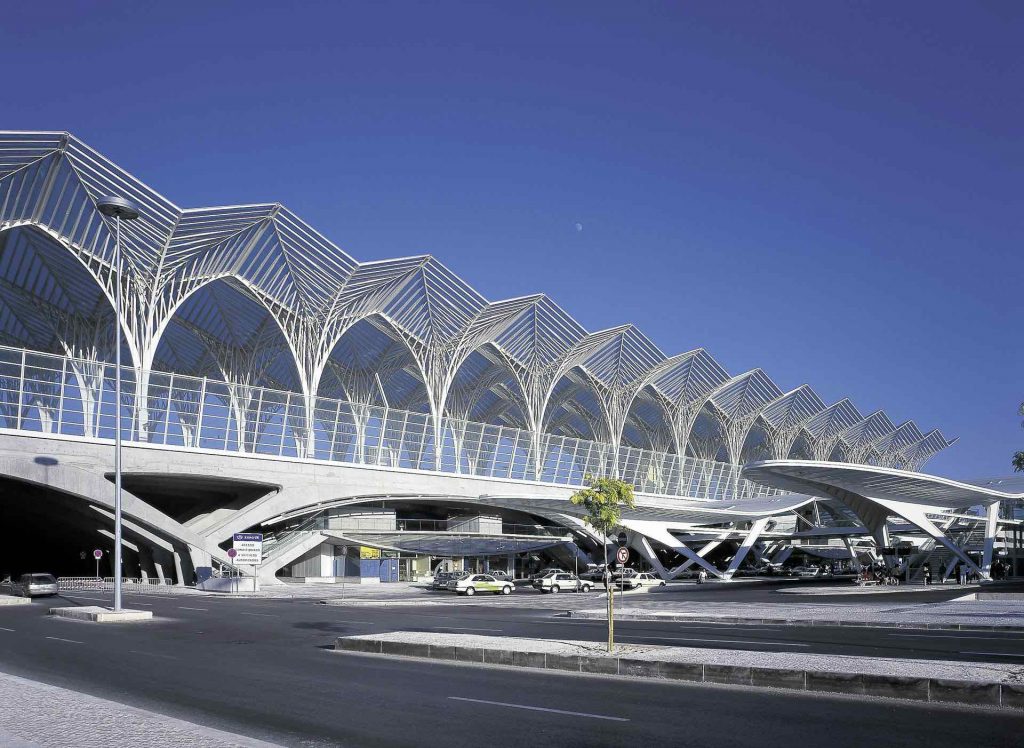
[(264, 669)]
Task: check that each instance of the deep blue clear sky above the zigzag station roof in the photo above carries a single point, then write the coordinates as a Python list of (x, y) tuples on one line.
[(832, 192)]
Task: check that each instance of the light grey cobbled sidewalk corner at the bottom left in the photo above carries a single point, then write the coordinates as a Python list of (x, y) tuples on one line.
[(40, 716)]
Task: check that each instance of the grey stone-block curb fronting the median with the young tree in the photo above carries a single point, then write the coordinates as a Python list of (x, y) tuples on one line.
[(916, 689)]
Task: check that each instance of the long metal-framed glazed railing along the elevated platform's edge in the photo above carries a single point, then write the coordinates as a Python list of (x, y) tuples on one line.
[(60, 395)]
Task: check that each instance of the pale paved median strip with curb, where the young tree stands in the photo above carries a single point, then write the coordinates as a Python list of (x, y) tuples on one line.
[(928, 681)]
